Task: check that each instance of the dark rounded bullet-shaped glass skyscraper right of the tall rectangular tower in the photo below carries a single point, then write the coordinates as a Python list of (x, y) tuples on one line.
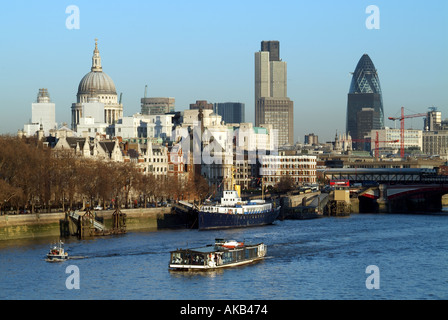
[(365, 101)]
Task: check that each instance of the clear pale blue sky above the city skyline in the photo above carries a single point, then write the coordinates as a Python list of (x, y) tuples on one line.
[(204, 50)]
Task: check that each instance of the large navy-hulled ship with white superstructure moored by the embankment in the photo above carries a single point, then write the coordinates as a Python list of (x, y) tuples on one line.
[(232, 212)]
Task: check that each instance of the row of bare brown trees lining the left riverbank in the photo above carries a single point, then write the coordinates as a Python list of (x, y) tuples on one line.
[(34, 176)]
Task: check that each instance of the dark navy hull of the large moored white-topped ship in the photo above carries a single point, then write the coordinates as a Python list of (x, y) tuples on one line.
[(210, 220)]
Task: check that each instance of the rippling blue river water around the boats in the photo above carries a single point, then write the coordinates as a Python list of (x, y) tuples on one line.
[(313, 259)]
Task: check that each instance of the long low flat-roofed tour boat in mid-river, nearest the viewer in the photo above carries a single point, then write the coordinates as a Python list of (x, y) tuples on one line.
[(223, 254)]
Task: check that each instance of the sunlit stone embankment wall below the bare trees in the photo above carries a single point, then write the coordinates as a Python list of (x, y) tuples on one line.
[(47, 224)]
